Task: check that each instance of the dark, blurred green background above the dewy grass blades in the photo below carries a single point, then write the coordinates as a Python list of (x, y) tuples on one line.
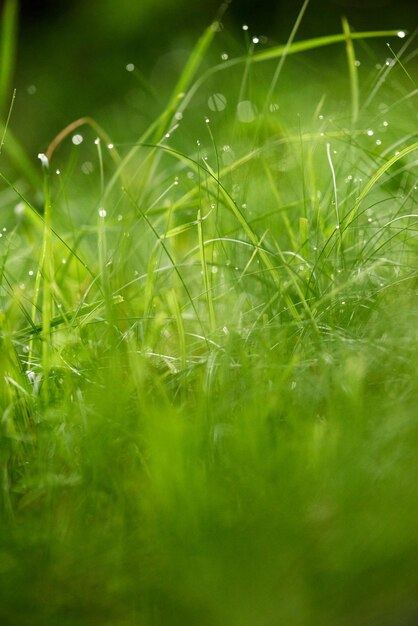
[(73, 53)]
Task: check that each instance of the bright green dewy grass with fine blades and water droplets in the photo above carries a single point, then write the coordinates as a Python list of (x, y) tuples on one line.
[(209, 348)]
